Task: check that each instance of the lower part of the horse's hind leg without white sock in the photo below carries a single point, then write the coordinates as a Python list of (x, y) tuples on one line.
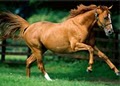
[(29, 60)]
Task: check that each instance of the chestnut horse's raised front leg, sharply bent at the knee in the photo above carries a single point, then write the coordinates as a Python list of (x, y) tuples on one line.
[(82, 46)]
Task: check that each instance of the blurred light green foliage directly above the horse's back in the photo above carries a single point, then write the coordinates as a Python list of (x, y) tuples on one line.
[(46, 14)]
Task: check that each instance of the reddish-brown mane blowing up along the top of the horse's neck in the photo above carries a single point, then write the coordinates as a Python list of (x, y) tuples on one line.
[(81, 9)]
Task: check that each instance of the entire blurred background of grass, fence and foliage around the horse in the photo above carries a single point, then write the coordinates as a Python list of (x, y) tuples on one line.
[(68, 71)]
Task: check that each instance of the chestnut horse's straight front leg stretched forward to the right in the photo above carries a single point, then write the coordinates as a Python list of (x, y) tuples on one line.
[(105, 58)]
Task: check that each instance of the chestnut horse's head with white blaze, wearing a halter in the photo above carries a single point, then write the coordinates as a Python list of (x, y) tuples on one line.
[(103, 18)]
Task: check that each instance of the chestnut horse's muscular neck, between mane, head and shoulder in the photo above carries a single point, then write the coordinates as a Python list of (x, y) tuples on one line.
[(87, 19)]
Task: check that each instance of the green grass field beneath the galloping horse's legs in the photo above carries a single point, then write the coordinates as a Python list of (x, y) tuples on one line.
[(62, 73)]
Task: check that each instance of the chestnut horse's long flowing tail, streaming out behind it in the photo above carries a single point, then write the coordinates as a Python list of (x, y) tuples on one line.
[(10, 24)]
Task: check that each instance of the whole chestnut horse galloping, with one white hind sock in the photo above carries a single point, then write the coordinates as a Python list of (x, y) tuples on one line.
[(74, 34)]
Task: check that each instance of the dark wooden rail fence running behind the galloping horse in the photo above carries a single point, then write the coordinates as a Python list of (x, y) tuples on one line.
[(111, 46)]
